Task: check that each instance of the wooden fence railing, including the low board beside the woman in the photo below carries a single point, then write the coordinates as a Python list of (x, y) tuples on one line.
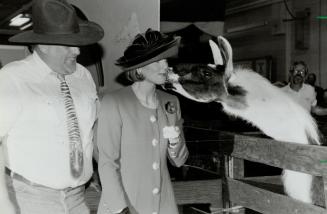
[(262, 194)]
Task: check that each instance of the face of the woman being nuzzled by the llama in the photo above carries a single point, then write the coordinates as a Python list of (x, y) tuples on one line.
[(156, 72)]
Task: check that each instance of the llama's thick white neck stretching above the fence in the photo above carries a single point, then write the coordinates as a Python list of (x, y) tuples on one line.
[(269, 109)]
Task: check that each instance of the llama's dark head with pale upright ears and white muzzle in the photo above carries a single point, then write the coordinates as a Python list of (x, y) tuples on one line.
[(205, 83)]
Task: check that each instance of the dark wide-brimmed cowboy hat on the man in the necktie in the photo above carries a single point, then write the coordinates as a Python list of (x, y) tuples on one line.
[(55, 22)]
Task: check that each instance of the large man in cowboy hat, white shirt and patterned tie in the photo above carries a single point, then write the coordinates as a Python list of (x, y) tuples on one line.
[(48, 109)]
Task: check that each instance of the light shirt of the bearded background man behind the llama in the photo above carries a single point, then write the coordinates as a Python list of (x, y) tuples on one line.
[(306, 96)]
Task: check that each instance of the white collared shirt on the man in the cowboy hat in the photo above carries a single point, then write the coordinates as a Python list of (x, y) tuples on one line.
[(33, 125)]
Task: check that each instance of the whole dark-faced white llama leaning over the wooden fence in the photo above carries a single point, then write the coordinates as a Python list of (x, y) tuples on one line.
[(247, 95)]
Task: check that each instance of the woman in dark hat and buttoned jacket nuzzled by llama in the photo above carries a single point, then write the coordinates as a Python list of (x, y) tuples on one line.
[(139, 127)]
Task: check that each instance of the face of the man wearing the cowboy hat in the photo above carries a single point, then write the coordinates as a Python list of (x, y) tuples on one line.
[(61, 59)]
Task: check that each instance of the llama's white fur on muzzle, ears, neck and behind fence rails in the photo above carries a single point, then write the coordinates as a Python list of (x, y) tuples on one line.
[(269, 109)]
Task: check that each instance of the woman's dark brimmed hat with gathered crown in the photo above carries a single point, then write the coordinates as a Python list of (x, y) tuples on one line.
[(146, 48)]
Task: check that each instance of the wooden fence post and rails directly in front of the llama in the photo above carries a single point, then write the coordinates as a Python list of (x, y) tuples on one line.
[(304, 158)]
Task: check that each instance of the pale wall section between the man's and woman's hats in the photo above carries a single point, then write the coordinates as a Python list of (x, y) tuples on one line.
[(113, 16)]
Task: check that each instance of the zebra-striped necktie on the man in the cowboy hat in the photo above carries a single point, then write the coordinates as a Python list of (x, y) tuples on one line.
[(75, 143)]
